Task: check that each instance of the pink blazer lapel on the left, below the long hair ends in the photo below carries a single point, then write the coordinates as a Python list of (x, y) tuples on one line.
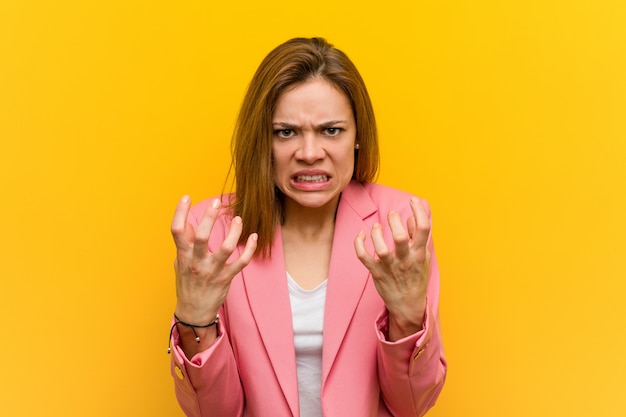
[(265, 282)]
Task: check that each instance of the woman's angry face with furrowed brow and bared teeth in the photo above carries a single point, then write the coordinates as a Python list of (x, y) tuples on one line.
[(313, 144)]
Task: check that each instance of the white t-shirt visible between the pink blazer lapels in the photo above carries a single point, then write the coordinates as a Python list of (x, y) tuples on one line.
[(307, 311)]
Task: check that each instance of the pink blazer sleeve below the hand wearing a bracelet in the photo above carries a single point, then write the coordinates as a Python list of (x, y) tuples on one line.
[(209, 383)]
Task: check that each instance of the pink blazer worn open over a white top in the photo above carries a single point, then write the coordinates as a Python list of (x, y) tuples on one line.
[(250, 370)]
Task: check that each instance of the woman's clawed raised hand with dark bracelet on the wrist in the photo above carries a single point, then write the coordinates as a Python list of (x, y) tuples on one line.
[(203, 277)]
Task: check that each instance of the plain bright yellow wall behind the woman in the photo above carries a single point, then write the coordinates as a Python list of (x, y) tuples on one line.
[(508, 116)]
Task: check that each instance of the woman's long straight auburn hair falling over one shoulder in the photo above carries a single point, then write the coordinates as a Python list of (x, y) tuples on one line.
[(256, 199)]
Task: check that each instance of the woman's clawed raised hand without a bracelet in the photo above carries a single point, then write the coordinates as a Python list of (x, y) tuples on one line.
[(400, 273)]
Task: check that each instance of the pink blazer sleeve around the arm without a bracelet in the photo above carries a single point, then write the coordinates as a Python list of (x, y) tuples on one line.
[(412, 370)]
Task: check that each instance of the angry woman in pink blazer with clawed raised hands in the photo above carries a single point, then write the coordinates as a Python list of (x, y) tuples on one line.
[(284, 306)]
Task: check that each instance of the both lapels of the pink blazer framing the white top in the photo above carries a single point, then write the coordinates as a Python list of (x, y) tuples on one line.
[(268, 295)]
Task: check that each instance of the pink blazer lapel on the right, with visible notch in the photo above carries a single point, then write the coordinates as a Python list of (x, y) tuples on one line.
[(347, 276)]
